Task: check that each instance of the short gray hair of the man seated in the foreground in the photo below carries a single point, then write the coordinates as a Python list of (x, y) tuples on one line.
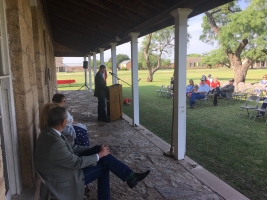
[(56, 116)]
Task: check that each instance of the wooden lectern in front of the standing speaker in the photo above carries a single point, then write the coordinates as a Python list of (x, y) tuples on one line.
[(114, 102)]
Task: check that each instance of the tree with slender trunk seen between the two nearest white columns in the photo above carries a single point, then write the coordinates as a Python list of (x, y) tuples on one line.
[(154, 48)]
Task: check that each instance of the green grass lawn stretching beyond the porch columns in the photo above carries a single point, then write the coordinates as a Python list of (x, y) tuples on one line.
[(231, 147)]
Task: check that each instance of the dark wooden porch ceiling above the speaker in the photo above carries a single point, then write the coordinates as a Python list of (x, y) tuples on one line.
[(82, 26)]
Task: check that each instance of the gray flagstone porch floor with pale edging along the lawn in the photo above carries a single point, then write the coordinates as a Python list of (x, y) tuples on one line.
[(140, 149)]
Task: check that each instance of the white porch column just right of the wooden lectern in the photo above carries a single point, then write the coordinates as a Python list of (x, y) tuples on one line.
[(135, 89)]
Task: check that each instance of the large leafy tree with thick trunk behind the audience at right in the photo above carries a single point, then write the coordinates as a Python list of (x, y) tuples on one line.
[(242, 35)]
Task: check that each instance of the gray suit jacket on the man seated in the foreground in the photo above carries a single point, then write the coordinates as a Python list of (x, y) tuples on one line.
[(60, 166)]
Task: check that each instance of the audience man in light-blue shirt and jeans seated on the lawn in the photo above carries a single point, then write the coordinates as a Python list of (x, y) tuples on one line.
[(201, 93)]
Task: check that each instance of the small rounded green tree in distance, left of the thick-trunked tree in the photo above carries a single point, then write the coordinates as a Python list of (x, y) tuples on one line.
[(216, 57)]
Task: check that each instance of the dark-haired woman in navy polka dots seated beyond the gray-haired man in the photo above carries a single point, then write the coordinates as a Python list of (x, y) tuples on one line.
[(73, 127)]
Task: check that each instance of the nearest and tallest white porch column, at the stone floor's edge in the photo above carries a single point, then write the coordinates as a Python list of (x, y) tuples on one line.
[(180, 52)]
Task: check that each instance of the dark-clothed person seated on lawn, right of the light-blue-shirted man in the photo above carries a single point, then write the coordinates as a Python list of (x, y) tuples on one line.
[(226, 91)]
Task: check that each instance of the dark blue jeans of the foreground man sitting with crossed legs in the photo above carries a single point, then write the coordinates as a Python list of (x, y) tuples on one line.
[(101, 172)]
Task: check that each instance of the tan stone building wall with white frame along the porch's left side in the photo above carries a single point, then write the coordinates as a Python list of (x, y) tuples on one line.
[(27, 81)]
